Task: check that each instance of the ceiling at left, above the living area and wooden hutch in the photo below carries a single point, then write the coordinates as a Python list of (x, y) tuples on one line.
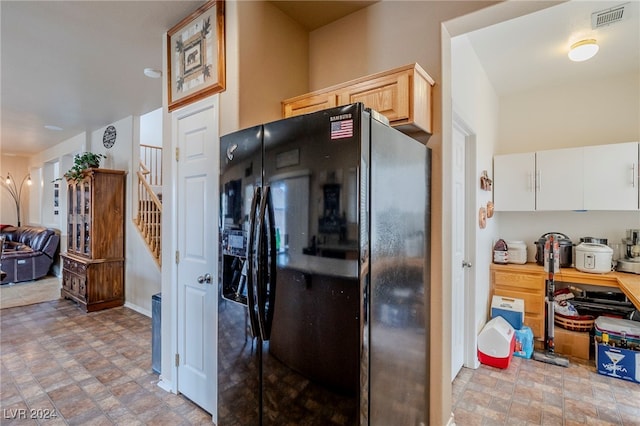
[(78, 65)]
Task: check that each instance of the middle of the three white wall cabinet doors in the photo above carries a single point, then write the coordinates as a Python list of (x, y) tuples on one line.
[(560, 179)]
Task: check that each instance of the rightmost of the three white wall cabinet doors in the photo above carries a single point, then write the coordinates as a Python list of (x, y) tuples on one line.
[(611, 177)]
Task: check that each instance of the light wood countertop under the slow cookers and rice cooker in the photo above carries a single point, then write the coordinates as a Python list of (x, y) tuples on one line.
[(628, 283)]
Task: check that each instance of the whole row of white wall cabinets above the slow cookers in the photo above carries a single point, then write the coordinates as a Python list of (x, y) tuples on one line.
[(602, 177)]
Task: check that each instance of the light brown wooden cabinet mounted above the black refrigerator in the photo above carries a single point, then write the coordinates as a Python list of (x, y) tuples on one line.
[(403, 95)]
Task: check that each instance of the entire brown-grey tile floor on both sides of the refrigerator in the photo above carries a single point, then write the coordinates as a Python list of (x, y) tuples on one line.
[(96, 369)]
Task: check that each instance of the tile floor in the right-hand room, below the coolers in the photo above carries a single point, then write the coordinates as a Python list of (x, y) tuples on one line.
[(534, 393)]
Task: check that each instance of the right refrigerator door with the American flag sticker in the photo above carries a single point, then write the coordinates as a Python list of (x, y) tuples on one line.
[(311, 362)]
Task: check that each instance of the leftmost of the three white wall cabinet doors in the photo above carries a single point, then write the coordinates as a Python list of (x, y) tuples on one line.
[(513, 182)]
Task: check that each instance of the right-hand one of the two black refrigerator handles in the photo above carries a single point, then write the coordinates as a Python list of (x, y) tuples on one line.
[(267, 263)]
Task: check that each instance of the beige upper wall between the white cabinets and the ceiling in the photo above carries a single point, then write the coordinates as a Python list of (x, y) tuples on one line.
[(572, 114)]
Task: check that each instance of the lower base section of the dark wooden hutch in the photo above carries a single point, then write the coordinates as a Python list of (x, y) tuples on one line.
[(93, 284)]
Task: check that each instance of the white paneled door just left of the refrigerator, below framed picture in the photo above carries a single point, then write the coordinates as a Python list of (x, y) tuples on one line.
[(197, 252)]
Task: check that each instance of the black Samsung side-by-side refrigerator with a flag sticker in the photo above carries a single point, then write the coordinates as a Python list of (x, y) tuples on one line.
[(324, 273)]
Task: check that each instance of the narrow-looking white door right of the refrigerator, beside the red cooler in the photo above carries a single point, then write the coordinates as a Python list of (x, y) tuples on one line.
[(459, 263)]
